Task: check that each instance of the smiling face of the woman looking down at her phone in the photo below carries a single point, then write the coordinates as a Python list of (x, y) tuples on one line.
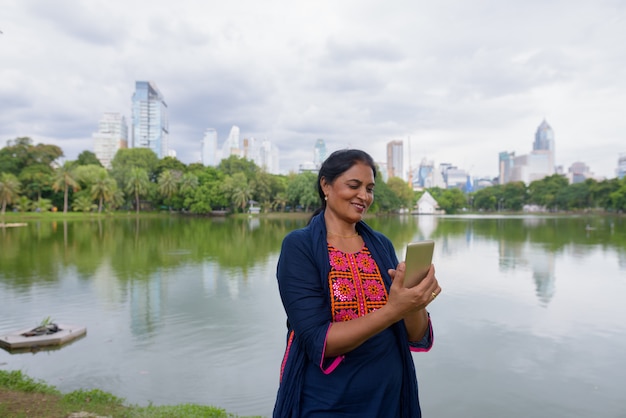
[(351, 193)]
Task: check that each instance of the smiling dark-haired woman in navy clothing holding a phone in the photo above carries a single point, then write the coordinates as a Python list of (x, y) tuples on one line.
[(351, 322)]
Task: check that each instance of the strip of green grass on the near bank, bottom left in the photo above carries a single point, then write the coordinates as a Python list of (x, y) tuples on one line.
[(24, 397)]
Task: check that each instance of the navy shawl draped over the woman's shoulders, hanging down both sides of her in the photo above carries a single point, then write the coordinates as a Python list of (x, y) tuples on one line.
[(307, 248)]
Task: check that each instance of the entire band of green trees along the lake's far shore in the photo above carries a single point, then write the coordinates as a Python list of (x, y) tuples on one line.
[(31, 179)]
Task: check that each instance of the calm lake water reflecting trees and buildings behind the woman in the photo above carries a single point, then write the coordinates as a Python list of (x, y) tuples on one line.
[(531, 321)]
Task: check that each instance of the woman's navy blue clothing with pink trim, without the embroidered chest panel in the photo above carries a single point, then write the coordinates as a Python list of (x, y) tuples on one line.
[(376, 379)]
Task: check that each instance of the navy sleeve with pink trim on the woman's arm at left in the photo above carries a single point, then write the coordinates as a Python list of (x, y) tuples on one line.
[(304, 298)]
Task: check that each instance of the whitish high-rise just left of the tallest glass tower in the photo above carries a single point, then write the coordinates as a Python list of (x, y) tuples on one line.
[(111, 136)]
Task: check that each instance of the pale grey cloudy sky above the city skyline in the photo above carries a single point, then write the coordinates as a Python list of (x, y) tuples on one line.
[(459, 80)]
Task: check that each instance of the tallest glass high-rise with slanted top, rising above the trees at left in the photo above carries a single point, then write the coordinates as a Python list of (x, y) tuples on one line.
[(150, 128)]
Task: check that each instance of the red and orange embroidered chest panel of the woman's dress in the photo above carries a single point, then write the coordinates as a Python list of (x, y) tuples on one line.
[(356, 286)]
